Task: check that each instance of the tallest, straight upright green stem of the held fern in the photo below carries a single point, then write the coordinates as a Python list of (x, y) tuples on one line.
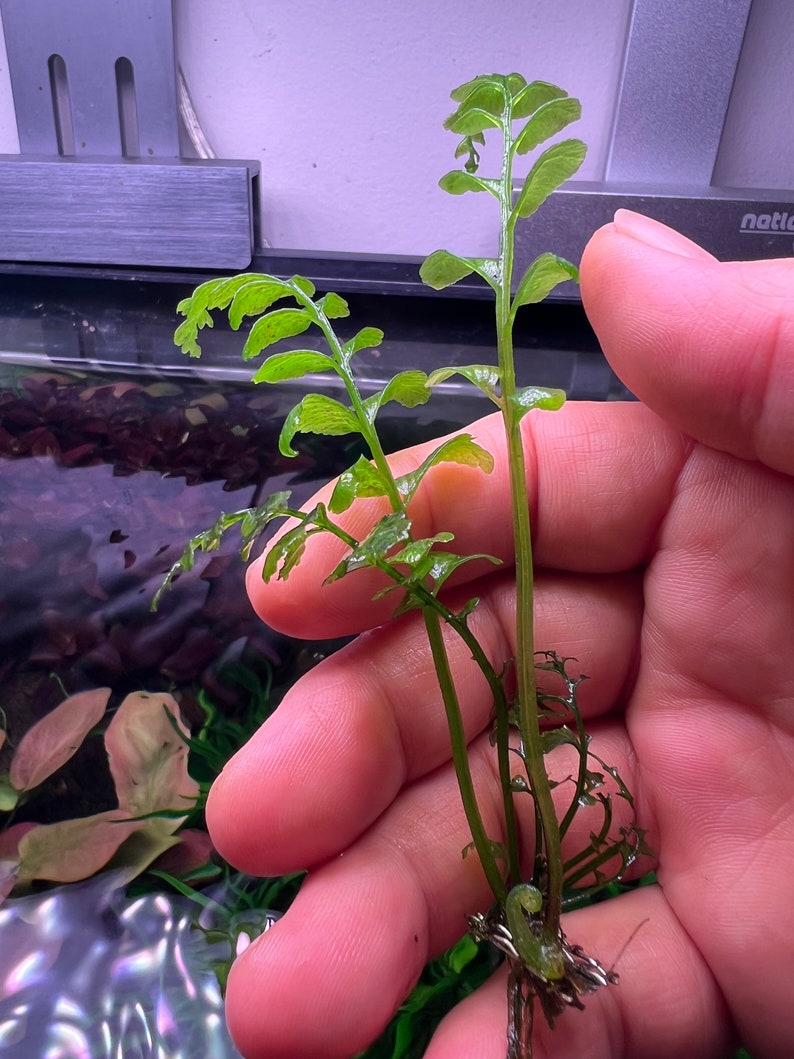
[(528, 694)]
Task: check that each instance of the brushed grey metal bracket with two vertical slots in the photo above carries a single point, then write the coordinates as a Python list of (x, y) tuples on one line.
[(100, 178)]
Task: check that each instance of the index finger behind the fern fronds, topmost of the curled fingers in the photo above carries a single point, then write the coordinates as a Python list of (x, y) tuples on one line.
[(601, 479)]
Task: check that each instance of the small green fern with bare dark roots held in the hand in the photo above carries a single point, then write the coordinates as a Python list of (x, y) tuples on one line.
[(535, 694)]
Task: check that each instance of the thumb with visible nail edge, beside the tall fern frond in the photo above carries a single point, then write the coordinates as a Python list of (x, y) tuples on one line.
[(708, 345)]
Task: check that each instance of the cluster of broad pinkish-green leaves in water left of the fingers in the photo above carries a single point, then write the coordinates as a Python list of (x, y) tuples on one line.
[(148, 760)]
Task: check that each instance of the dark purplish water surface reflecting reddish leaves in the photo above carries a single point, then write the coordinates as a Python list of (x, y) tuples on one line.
[(103, 479)]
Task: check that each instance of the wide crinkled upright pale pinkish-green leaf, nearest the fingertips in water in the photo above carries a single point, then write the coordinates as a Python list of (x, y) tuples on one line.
[(149, 759)]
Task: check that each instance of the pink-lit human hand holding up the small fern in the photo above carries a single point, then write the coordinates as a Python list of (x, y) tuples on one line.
[(663, 542)]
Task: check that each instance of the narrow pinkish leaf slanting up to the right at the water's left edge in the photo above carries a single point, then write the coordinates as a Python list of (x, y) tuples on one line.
[(49, 745)]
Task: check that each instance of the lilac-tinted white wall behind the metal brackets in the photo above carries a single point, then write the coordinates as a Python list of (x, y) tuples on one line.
[(344, 102)]
